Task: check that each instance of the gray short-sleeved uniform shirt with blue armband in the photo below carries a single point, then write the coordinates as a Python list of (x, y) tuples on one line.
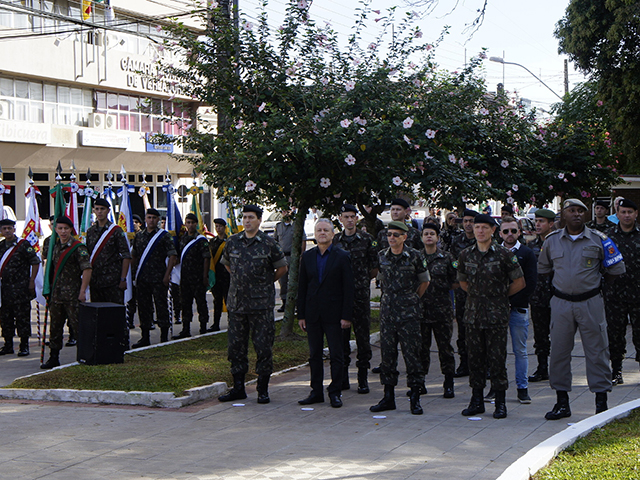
[(576, 264)]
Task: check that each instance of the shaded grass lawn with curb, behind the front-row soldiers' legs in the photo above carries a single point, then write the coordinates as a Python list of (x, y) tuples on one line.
[(172, 368)]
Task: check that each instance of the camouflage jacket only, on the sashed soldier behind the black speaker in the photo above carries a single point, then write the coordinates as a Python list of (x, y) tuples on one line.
[(107, 265)]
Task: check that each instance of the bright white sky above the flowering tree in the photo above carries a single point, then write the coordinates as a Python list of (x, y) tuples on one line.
[(519, 31)]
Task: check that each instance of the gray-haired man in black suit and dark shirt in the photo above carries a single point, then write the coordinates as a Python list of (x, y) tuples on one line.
[(325, 306)]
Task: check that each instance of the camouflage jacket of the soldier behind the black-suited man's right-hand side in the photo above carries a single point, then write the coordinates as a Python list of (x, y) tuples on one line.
[(364, 258)]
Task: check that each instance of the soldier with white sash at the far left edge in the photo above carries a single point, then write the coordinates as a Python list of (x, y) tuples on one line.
[(18, 272)]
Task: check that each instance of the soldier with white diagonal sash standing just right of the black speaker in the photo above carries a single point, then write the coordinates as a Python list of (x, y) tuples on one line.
[(152, 276)]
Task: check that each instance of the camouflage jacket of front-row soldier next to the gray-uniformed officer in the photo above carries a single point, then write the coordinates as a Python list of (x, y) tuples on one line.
[(488, 275)]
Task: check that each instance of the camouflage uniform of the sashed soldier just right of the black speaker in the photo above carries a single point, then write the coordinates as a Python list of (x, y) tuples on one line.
[(150, 288)]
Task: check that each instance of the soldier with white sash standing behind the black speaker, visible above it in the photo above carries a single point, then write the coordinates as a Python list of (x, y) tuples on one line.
[(111, 264)]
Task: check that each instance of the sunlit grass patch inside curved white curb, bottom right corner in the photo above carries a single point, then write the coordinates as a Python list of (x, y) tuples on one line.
[(608, 453)]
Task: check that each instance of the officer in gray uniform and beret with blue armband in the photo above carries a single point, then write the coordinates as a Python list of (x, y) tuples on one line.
[(578, 257)]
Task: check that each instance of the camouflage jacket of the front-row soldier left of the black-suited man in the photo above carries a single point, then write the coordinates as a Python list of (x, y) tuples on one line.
[(252, 262)]
